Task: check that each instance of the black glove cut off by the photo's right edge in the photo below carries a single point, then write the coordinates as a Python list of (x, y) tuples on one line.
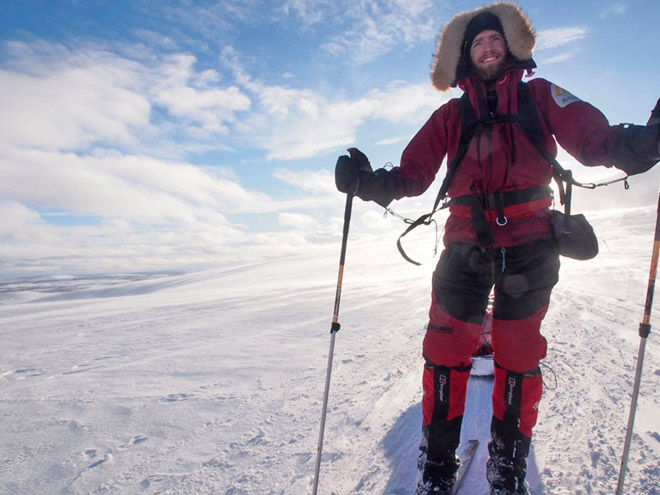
[(638, 148)]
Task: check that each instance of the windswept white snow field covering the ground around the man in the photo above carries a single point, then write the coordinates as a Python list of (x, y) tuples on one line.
[(212, 382)]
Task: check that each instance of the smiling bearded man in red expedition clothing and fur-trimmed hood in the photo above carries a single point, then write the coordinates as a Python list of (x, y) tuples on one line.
[(499, 233)]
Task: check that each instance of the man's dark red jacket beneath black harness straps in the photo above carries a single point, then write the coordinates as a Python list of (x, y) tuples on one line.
[(507, 161)]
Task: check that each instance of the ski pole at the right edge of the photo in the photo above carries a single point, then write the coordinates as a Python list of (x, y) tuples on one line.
[(644, 331)]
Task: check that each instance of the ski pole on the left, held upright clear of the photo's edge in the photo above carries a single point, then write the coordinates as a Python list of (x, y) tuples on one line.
[(334, 328)]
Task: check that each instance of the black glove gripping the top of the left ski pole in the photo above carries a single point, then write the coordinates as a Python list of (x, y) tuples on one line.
[(354, 174)]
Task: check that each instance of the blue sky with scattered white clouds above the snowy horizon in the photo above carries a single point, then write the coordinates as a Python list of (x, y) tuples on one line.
[(184, 135)]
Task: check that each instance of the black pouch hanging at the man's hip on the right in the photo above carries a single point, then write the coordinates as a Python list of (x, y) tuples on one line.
[(576, 237)]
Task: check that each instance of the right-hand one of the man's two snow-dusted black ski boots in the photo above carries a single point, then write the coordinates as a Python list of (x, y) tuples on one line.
[(506, 467)]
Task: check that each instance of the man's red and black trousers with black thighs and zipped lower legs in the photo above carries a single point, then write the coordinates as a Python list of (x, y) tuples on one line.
[(522, 278)]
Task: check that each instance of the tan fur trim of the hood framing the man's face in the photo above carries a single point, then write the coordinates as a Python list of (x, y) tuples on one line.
[(518, 31)]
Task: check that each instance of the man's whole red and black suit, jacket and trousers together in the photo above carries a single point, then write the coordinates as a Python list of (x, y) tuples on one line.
[(521, 262)]
